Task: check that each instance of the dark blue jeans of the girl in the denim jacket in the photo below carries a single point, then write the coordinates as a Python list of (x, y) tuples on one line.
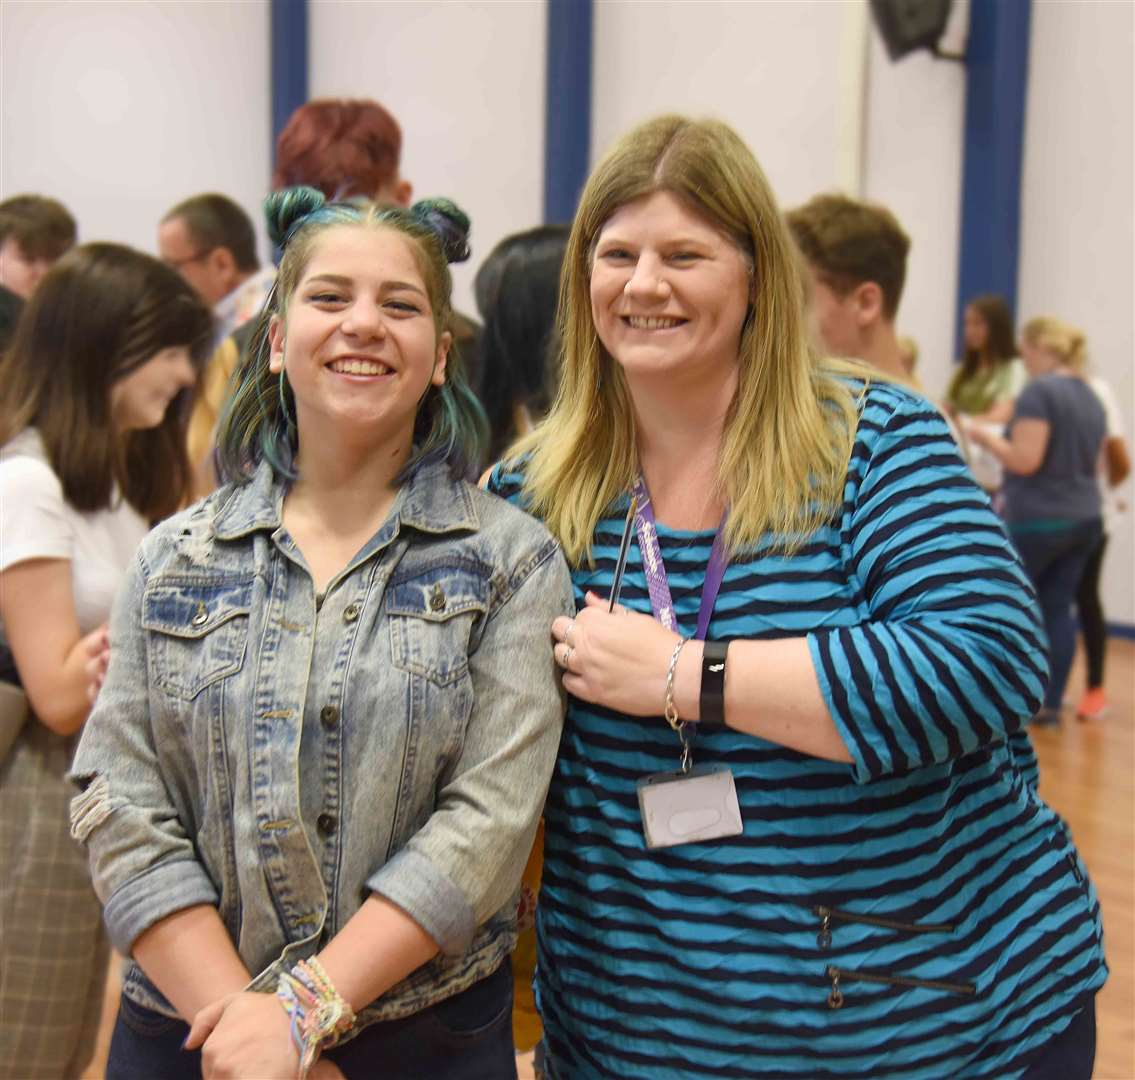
[(466, 1037)]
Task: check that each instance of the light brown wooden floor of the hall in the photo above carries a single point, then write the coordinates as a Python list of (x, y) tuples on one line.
[(1088, 774)]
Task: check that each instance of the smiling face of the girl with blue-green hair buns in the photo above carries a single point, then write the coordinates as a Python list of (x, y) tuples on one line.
[(358, 342)]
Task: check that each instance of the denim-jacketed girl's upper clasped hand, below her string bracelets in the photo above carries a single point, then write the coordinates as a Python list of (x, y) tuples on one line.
[(245, 1036)]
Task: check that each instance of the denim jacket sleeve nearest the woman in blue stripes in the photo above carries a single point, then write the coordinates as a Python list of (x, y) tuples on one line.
[(466, 863)]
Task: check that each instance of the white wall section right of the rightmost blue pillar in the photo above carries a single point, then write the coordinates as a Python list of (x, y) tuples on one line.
[(1078, 255)]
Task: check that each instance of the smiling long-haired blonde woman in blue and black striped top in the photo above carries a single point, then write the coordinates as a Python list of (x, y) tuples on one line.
[(853, 877)]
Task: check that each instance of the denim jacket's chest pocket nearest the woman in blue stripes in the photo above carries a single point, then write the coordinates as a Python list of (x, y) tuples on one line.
[(432, 617)]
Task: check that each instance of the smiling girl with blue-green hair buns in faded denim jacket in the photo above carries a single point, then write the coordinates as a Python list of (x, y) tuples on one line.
[(314, 774)]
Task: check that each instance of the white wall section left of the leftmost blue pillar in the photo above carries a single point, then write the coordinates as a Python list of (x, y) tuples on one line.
[(122, 109)]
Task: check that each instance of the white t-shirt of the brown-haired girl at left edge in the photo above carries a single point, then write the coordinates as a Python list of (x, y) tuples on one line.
[(37, 522)]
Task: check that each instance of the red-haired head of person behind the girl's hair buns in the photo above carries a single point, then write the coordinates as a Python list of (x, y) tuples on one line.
[(347, 149)]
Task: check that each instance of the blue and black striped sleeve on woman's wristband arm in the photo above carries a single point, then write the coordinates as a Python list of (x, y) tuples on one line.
[(952, 656)]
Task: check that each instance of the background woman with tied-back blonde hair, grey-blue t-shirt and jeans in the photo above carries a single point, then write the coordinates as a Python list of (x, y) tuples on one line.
[(1053, 505)]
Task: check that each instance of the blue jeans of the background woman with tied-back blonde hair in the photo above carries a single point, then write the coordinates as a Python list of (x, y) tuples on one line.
[(1055, 561)]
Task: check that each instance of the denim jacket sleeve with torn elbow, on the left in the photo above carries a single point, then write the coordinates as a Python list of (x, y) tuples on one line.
[(144, 863)]
